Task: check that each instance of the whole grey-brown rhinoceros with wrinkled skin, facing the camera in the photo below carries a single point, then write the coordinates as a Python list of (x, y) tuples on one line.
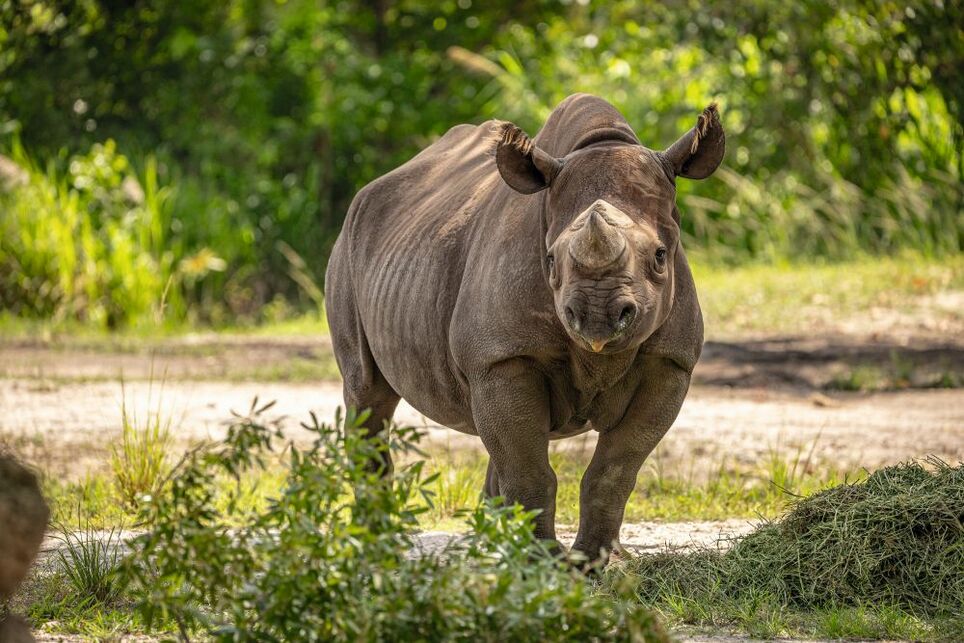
[(525, 291)]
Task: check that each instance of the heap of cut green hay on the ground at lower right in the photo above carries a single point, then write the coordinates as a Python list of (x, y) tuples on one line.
[(896, 538)]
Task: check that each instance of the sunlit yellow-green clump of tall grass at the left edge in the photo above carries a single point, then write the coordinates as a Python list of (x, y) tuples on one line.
[(87, 244)]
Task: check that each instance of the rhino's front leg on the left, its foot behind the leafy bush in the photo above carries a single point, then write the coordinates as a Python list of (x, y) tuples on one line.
[(510, 407)]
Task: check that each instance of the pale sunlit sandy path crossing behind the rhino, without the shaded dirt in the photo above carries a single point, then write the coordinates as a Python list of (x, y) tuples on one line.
[(67, 428)]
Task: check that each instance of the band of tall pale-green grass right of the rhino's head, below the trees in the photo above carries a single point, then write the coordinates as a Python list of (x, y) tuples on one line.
[(826, 217)]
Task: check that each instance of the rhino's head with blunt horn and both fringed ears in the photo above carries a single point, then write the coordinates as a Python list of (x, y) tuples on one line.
[(611, 227)]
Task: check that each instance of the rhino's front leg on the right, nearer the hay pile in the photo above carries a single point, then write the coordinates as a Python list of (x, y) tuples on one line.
[(620, 452)]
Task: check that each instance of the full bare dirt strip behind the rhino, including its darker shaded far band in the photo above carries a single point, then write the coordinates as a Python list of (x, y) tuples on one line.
[(61, 406)]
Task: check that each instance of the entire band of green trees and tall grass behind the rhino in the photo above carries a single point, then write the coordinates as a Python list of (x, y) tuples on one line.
[(178, 161)]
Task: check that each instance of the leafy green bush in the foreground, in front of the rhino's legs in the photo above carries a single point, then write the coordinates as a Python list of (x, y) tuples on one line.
[(333, 557)]
